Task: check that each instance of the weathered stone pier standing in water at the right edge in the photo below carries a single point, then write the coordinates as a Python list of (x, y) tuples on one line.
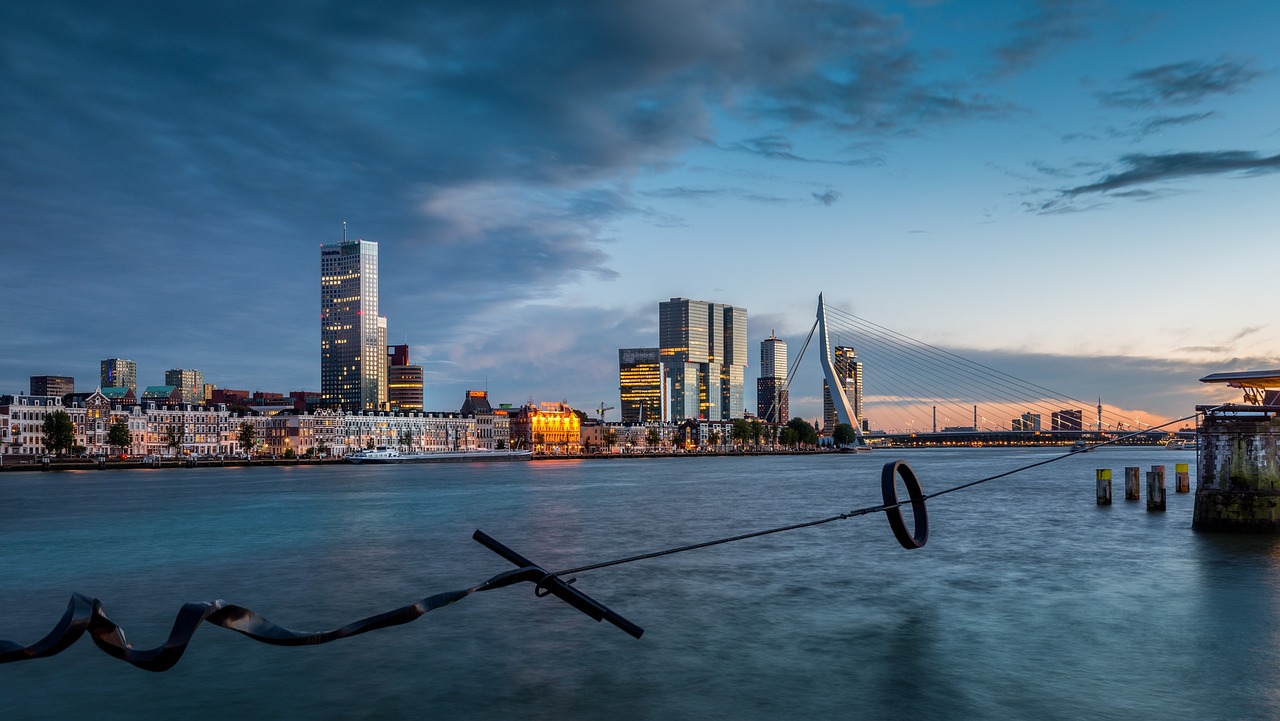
[(1238, 483)]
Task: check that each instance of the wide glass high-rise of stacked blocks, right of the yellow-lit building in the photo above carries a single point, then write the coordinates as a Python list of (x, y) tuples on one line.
[(703, 353)]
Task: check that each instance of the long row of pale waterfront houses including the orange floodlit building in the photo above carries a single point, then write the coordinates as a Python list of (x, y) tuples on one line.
[(188, 430)]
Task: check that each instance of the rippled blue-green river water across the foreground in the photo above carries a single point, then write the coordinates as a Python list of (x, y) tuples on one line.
[(1028, 603)]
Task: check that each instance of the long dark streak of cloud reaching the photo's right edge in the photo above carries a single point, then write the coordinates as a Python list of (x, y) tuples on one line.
[(1149, 170)]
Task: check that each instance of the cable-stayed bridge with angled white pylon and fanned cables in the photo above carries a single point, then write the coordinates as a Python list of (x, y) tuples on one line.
[(909, 390)]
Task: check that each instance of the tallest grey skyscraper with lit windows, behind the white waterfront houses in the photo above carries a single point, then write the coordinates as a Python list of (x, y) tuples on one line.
[(353, 357)]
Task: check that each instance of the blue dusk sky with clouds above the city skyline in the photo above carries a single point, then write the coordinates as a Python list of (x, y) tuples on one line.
[(1081, 194)]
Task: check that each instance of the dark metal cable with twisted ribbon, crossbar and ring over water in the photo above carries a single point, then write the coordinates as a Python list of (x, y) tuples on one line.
[(86, 614)]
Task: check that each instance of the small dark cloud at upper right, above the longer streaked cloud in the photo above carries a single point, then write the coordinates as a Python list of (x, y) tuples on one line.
[(1182, 84)]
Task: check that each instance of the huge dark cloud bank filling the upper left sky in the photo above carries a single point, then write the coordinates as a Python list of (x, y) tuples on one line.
[(487, 147)]
